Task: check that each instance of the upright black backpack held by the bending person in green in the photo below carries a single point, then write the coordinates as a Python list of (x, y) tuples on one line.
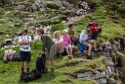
[(40, 63)]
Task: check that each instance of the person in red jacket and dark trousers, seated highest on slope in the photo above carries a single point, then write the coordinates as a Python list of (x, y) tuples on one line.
[(96, 29)]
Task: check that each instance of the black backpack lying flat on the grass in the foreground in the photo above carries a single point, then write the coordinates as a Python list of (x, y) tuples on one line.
[(30, 76)]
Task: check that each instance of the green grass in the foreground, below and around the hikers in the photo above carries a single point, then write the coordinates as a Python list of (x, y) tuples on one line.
[(64, 69)]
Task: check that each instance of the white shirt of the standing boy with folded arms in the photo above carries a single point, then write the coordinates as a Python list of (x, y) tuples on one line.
[(25, 48)]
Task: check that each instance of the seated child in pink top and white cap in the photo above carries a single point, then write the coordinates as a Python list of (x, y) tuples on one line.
[(67, 43)]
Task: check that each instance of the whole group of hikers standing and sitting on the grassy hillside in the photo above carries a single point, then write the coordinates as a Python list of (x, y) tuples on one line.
[(54, 47)]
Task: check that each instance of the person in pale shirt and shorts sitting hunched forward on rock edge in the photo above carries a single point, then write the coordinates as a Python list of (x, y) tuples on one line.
[(85, 39)]
